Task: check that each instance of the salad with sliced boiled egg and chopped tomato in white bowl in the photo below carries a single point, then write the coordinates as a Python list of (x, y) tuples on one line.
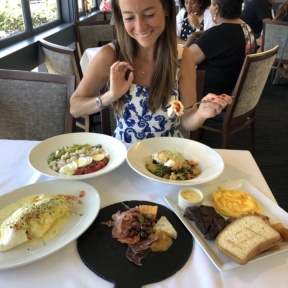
[(78, 159)]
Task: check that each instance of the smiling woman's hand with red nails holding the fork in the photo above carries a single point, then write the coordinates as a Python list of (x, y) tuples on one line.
[(217, 104)]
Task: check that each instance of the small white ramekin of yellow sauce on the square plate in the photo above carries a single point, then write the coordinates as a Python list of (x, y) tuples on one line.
[(188, 197)]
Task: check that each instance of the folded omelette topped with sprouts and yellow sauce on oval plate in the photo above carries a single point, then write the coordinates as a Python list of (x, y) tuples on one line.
[(37, 218)]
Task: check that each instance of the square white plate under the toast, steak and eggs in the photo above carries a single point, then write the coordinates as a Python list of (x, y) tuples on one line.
[(269, 208)]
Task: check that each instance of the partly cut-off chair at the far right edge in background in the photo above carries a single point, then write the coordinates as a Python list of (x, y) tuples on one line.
[(275, 33)]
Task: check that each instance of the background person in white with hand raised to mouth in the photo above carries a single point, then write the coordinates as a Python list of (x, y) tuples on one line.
[(193, 16)]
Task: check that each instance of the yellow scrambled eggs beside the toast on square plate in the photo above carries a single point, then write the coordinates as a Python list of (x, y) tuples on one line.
[(234, 203)]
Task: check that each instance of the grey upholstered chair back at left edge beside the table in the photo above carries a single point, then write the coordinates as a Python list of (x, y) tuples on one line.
[(34, 105)]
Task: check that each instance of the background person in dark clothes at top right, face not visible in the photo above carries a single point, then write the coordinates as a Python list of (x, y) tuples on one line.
[(254, 14)]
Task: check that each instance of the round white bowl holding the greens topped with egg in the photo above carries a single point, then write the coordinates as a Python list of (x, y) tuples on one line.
[(210, 162)]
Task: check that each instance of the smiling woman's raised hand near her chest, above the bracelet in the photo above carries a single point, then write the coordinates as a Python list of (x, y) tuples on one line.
[(119, 85)]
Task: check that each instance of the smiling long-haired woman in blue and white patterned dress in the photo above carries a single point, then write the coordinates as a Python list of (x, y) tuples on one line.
[(146, 69)]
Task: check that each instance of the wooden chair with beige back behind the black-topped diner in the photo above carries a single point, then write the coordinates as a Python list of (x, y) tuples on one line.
[(241, 113)]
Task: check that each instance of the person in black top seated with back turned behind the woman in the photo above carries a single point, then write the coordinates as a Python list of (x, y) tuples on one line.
[(221, 50)]
